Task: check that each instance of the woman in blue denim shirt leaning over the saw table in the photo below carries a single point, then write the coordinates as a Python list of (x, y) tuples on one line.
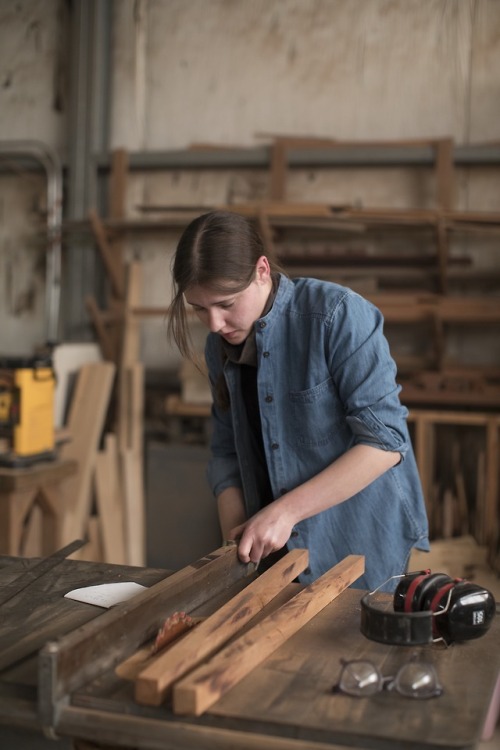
[(310, 446)]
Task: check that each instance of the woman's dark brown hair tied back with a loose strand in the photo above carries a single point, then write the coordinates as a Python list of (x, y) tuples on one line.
[(218, 250)]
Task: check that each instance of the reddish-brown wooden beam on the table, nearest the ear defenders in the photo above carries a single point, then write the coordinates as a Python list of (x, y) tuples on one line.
[(203, 687)]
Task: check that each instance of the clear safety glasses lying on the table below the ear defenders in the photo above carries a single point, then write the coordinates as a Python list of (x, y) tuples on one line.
[(414, 680)]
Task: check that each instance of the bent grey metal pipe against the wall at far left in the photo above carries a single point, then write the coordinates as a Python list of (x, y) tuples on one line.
[(50, 163)]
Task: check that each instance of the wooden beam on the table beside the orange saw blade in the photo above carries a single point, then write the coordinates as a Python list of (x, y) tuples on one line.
[(154, 682)]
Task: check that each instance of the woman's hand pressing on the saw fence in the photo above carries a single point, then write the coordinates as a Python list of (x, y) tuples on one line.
[(267, 531)]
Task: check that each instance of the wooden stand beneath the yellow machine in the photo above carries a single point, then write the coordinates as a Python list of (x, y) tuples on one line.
[(32, 509)]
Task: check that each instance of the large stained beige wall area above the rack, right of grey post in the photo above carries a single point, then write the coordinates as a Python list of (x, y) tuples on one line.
[(226, 70)]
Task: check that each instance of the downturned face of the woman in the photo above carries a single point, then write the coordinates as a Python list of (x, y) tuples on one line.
[(232, 315)]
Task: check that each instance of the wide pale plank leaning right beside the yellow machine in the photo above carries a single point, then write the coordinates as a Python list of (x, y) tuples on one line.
[(86, 420)]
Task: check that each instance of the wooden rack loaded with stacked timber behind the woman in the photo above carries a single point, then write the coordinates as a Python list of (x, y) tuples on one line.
[(402, 259)]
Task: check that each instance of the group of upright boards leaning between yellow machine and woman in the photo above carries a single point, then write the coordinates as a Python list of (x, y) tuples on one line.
[(105, 499)]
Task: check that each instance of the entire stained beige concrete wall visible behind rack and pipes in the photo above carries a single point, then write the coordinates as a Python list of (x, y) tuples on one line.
[(231, 72)]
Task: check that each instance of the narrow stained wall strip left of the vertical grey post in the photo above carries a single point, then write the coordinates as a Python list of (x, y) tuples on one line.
[(33, 90)]
